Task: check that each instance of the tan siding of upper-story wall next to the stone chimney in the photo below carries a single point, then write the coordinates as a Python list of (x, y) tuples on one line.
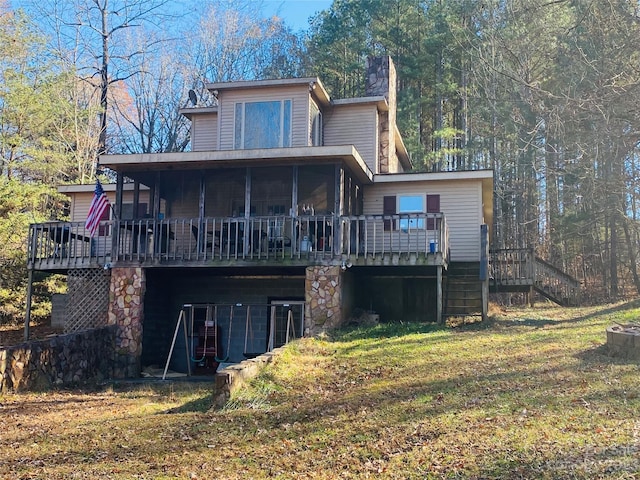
[(354, 125)]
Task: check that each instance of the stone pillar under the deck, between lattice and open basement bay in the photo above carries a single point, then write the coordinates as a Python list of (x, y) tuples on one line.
[(126, 297)]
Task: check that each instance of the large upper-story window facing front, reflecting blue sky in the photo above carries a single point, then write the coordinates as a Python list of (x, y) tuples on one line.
[(263, 124)]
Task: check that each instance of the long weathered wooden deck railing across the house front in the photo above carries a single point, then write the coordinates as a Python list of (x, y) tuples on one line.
[(305, 239)]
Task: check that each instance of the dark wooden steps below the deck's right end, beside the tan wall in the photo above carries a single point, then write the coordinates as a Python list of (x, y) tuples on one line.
[(463, 290)]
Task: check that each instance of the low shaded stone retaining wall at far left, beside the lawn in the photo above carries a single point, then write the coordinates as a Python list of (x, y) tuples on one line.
[(69, 359)]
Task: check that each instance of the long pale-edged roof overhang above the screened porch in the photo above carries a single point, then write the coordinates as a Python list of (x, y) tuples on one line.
[(246, 158)]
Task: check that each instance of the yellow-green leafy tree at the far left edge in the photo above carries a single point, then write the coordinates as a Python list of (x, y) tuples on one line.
[(36, 152)]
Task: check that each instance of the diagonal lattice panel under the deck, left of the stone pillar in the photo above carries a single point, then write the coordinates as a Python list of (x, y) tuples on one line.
[(88, 298)]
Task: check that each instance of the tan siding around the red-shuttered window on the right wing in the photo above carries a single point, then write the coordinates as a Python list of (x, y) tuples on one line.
[(460, 201)]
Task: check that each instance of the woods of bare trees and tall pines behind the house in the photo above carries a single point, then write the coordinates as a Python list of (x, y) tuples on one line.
[(544, 92)]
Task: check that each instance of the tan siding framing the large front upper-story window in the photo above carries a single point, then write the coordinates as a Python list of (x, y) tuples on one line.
[(300, 112)]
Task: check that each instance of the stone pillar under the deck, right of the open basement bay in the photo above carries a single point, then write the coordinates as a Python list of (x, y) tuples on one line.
[(324, 299)]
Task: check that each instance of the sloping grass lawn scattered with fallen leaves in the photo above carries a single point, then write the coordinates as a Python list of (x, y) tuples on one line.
[(530, 394)]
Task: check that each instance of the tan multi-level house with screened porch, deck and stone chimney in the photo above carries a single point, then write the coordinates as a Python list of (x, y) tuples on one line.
[(291, 214)]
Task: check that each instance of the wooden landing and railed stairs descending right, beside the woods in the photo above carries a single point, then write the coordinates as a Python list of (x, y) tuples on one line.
[(519, 270)]
